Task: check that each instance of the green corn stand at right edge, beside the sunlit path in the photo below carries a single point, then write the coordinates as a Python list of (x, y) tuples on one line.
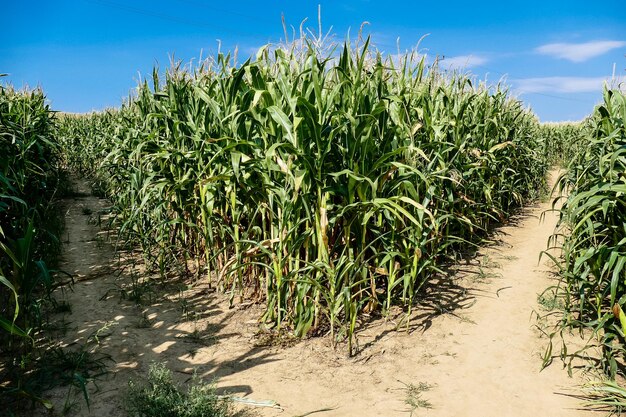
[(593, 219)]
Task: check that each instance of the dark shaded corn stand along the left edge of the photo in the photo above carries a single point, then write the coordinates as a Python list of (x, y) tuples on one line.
[(30, 221)]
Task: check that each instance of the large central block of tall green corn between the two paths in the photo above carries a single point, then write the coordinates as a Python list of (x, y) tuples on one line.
[(325, 186)]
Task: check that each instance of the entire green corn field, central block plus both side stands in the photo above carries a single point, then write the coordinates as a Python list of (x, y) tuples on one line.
[(328, 185)]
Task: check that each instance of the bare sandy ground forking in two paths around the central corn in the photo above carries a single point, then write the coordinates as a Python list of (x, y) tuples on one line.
[(472, 348)]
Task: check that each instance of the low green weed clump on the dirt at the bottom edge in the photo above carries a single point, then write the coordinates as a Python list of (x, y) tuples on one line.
[(160, 396)]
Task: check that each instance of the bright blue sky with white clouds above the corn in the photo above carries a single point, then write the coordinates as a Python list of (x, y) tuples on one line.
[(89, 54)]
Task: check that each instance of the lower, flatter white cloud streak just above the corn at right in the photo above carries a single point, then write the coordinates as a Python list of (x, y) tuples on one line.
[(560, 84)]
